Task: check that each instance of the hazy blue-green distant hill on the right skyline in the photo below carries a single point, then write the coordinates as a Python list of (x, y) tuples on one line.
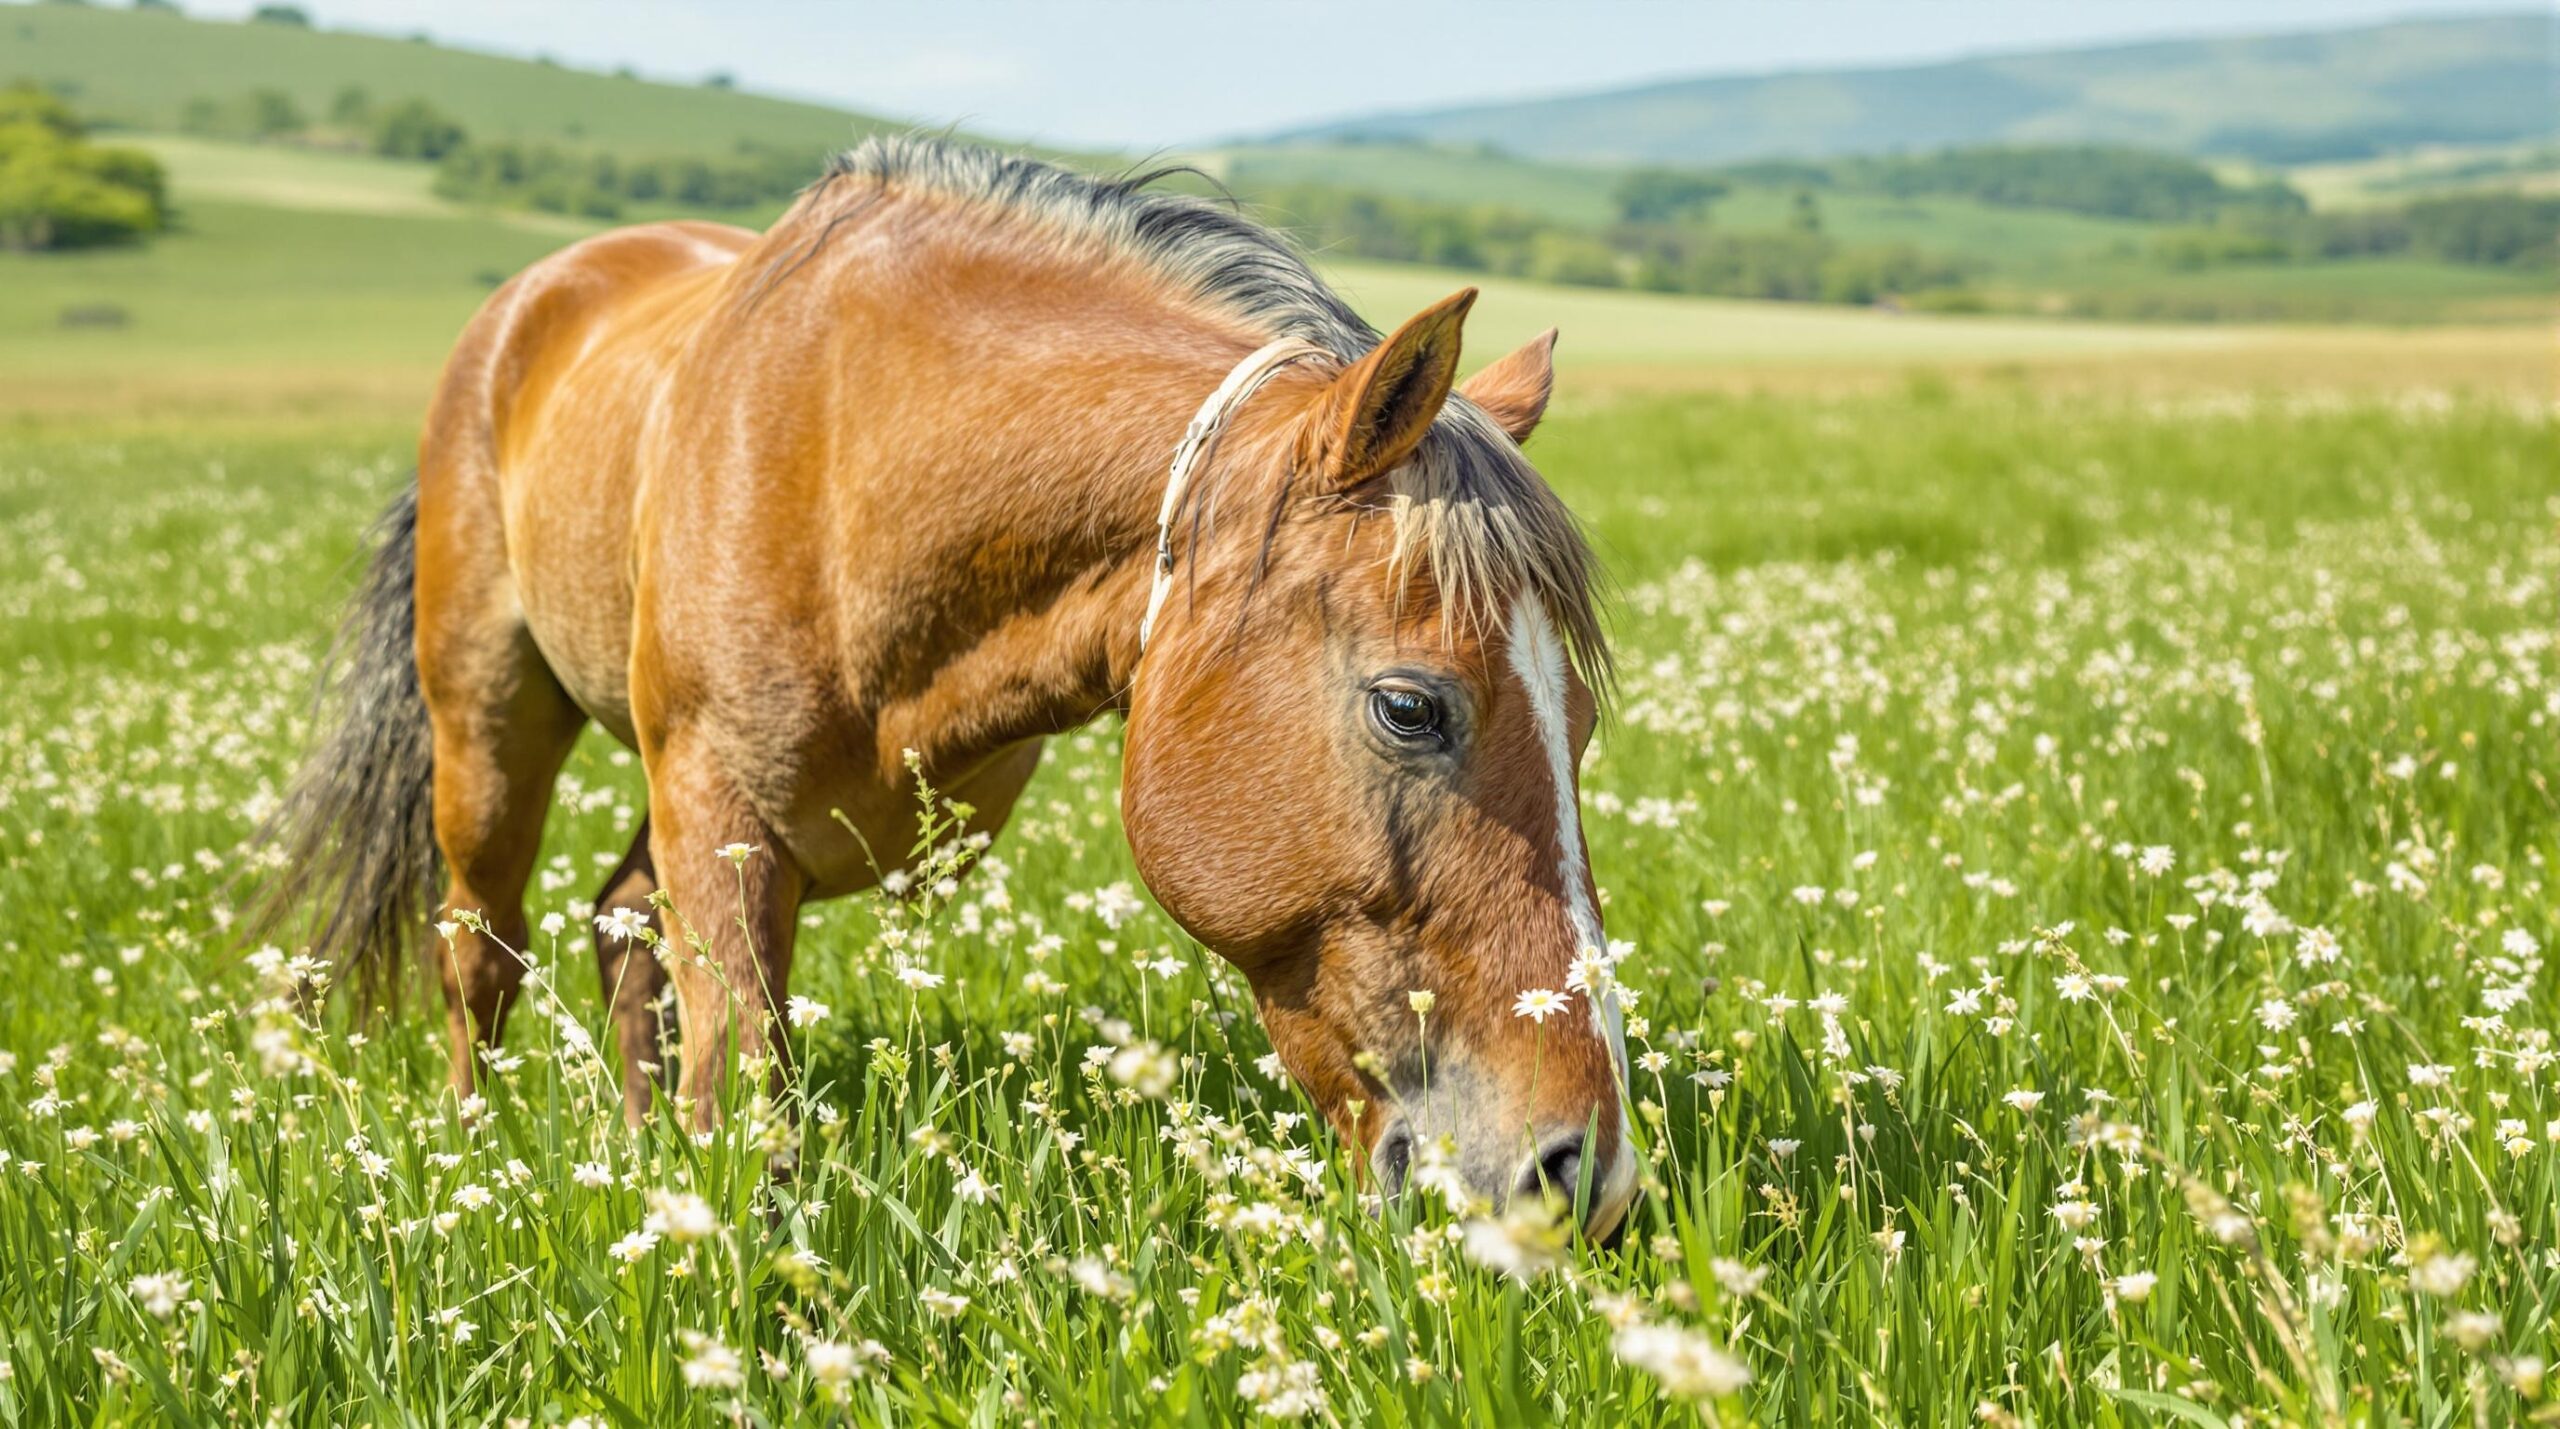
[(2277, 99)]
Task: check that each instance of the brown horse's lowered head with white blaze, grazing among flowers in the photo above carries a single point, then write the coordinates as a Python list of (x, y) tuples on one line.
[(1353, 770)]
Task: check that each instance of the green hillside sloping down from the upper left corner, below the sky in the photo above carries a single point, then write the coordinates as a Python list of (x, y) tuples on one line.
[(140, 70)]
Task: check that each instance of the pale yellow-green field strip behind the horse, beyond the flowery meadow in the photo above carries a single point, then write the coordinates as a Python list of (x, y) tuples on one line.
[(319, 283)]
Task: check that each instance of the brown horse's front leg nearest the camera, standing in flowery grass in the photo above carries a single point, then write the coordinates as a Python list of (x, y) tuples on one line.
[(736, 900)]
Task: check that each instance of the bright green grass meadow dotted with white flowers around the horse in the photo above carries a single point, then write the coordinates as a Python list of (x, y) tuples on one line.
[(1911, 688)]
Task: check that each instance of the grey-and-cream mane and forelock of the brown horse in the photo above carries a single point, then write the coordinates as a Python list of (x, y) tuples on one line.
[(1468, 506)]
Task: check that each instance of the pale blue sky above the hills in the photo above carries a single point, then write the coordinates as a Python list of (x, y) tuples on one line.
[(1164, 73)]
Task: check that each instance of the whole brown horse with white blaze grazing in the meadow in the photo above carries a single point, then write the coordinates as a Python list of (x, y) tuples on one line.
[(780, 508)]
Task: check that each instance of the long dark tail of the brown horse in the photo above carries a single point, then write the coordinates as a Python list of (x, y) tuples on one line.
[(355, 841)]
